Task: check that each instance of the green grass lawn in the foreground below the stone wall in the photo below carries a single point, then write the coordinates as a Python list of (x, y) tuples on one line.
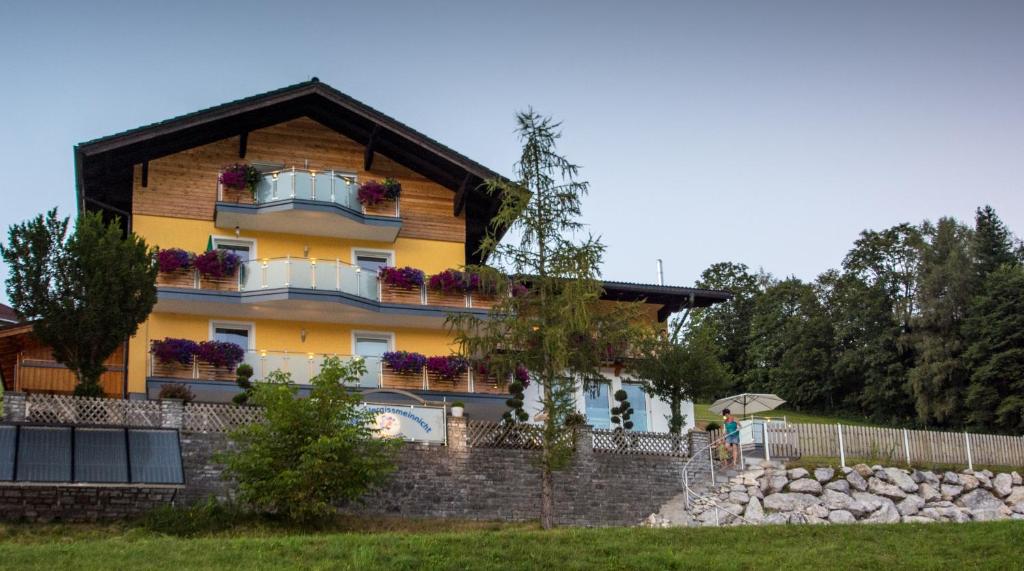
[(993, 546)]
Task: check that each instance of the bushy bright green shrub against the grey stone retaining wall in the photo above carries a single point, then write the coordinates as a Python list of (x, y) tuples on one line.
[(311, 454)]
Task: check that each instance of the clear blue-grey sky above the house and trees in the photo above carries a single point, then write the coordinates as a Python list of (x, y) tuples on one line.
[(769, 134)]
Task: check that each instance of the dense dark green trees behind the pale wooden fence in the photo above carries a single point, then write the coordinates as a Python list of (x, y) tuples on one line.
[(922, 325)]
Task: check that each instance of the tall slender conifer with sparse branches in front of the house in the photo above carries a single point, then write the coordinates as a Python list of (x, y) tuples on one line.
[(557, 330)]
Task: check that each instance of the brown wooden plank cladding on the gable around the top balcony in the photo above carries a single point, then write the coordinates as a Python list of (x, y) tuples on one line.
[(185, 185)]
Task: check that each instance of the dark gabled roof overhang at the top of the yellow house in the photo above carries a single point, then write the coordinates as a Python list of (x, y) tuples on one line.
[(105, 166)]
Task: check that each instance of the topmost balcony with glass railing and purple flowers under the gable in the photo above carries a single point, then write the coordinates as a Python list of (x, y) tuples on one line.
[(311, 203)]
